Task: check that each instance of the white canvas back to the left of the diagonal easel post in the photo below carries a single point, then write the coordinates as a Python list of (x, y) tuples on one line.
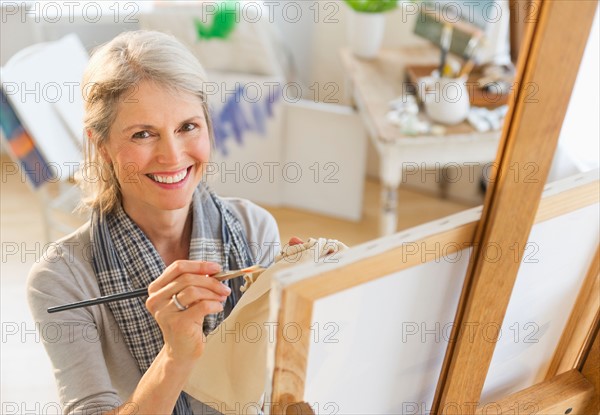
[(381, 345)]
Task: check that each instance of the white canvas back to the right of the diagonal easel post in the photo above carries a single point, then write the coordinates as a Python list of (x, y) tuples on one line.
[(555, 264)]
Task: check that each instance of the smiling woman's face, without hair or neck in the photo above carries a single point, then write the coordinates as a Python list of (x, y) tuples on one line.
[(157, 145)]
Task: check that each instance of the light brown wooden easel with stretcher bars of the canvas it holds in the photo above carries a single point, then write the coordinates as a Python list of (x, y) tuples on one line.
[(530, 135)]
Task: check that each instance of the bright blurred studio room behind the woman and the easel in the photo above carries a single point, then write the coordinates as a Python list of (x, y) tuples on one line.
[(321, 116)]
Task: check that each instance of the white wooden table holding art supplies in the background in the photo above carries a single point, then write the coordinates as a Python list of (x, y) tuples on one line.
[(371, 85)]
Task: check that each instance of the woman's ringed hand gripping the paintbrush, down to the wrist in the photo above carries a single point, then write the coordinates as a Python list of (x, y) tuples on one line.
[(182, 330)]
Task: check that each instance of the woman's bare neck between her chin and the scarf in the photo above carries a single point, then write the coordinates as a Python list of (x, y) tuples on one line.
[(169, 231)]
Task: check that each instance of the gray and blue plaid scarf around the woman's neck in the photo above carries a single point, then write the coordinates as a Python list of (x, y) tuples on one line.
[(124, 259)]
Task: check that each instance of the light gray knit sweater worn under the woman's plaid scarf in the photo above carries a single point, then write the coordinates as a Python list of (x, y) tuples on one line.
[(93, 367)]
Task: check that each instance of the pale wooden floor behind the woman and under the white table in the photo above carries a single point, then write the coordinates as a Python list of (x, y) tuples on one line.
[(25, 366)]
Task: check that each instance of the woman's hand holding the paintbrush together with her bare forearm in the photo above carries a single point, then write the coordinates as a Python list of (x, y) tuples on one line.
[(162, 383)]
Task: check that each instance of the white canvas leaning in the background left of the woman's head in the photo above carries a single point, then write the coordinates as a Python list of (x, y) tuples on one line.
[(48, 102)]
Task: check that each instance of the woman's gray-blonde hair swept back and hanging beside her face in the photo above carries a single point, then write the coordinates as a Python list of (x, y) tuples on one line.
[(115, 68)]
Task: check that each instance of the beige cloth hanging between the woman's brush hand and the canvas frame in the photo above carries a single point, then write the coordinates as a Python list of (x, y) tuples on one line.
[(231, 373)]
